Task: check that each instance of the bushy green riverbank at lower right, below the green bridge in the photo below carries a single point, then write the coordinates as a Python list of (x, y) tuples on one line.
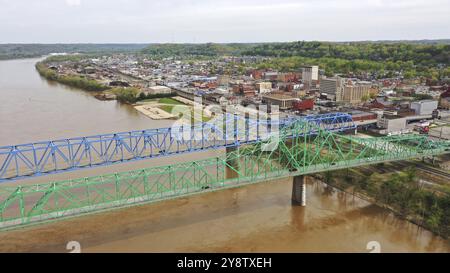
[(400, 191)]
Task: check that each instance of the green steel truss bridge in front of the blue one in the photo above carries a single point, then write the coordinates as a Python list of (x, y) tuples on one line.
[(292, 152)]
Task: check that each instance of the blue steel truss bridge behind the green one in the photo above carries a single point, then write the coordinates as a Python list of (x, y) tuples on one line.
[(49, 157)]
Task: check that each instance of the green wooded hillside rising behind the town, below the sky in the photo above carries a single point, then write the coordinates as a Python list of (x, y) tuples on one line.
[(375, 60)]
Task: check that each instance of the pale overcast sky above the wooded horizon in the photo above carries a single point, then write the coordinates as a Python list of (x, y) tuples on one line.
[(158, 21)]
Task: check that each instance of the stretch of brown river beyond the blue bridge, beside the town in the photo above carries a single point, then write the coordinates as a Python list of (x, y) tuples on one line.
[(34, 109)]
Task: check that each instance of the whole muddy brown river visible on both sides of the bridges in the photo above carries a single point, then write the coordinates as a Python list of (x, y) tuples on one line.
[(256, 218)]
